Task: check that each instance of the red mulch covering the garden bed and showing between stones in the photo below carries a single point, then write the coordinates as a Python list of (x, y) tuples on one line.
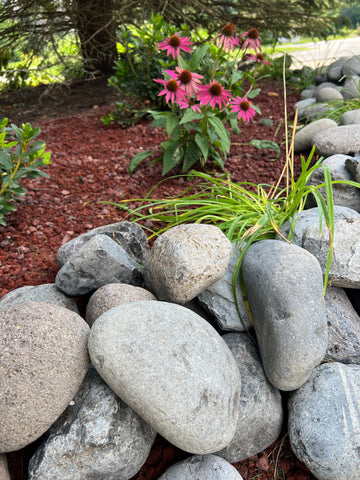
[(90, 164)]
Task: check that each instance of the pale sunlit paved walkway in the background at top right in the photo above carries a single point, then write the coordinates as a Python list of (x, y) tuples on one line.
[(323, 53)]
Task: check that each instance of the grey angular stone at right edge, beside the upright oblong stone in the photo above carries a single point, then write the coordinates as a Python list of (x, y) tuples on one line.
[(343, 326)]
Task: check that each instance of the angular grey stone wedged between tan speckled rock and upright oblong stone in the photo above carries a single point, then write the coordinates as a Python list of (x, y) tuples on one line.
[(218, 299)]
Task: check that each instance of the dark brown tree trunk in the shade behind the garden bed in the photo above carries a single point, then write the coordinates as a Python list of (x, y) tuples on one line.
[(95, 24)]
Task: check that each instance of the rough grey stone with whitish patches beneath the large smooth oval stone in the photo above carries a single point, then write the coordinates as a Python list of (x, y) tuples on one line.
[(98, 436)]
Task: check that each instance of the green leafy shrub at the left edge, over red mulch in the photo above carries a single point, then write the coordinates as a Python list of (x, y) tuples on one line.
[(20, 157)]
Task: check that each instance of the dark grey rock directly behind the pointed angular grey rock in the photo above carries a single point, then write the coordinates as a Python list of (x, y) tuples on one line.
[(130, 236)]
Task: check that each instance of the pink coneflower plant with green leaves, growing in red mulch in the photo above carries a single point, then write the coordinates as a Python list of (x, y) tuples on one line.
[(200, 105)]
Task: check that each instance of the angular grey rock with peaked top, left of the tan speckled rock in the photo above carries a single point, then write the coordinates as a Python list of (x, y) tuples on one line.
[(100, 261)]
